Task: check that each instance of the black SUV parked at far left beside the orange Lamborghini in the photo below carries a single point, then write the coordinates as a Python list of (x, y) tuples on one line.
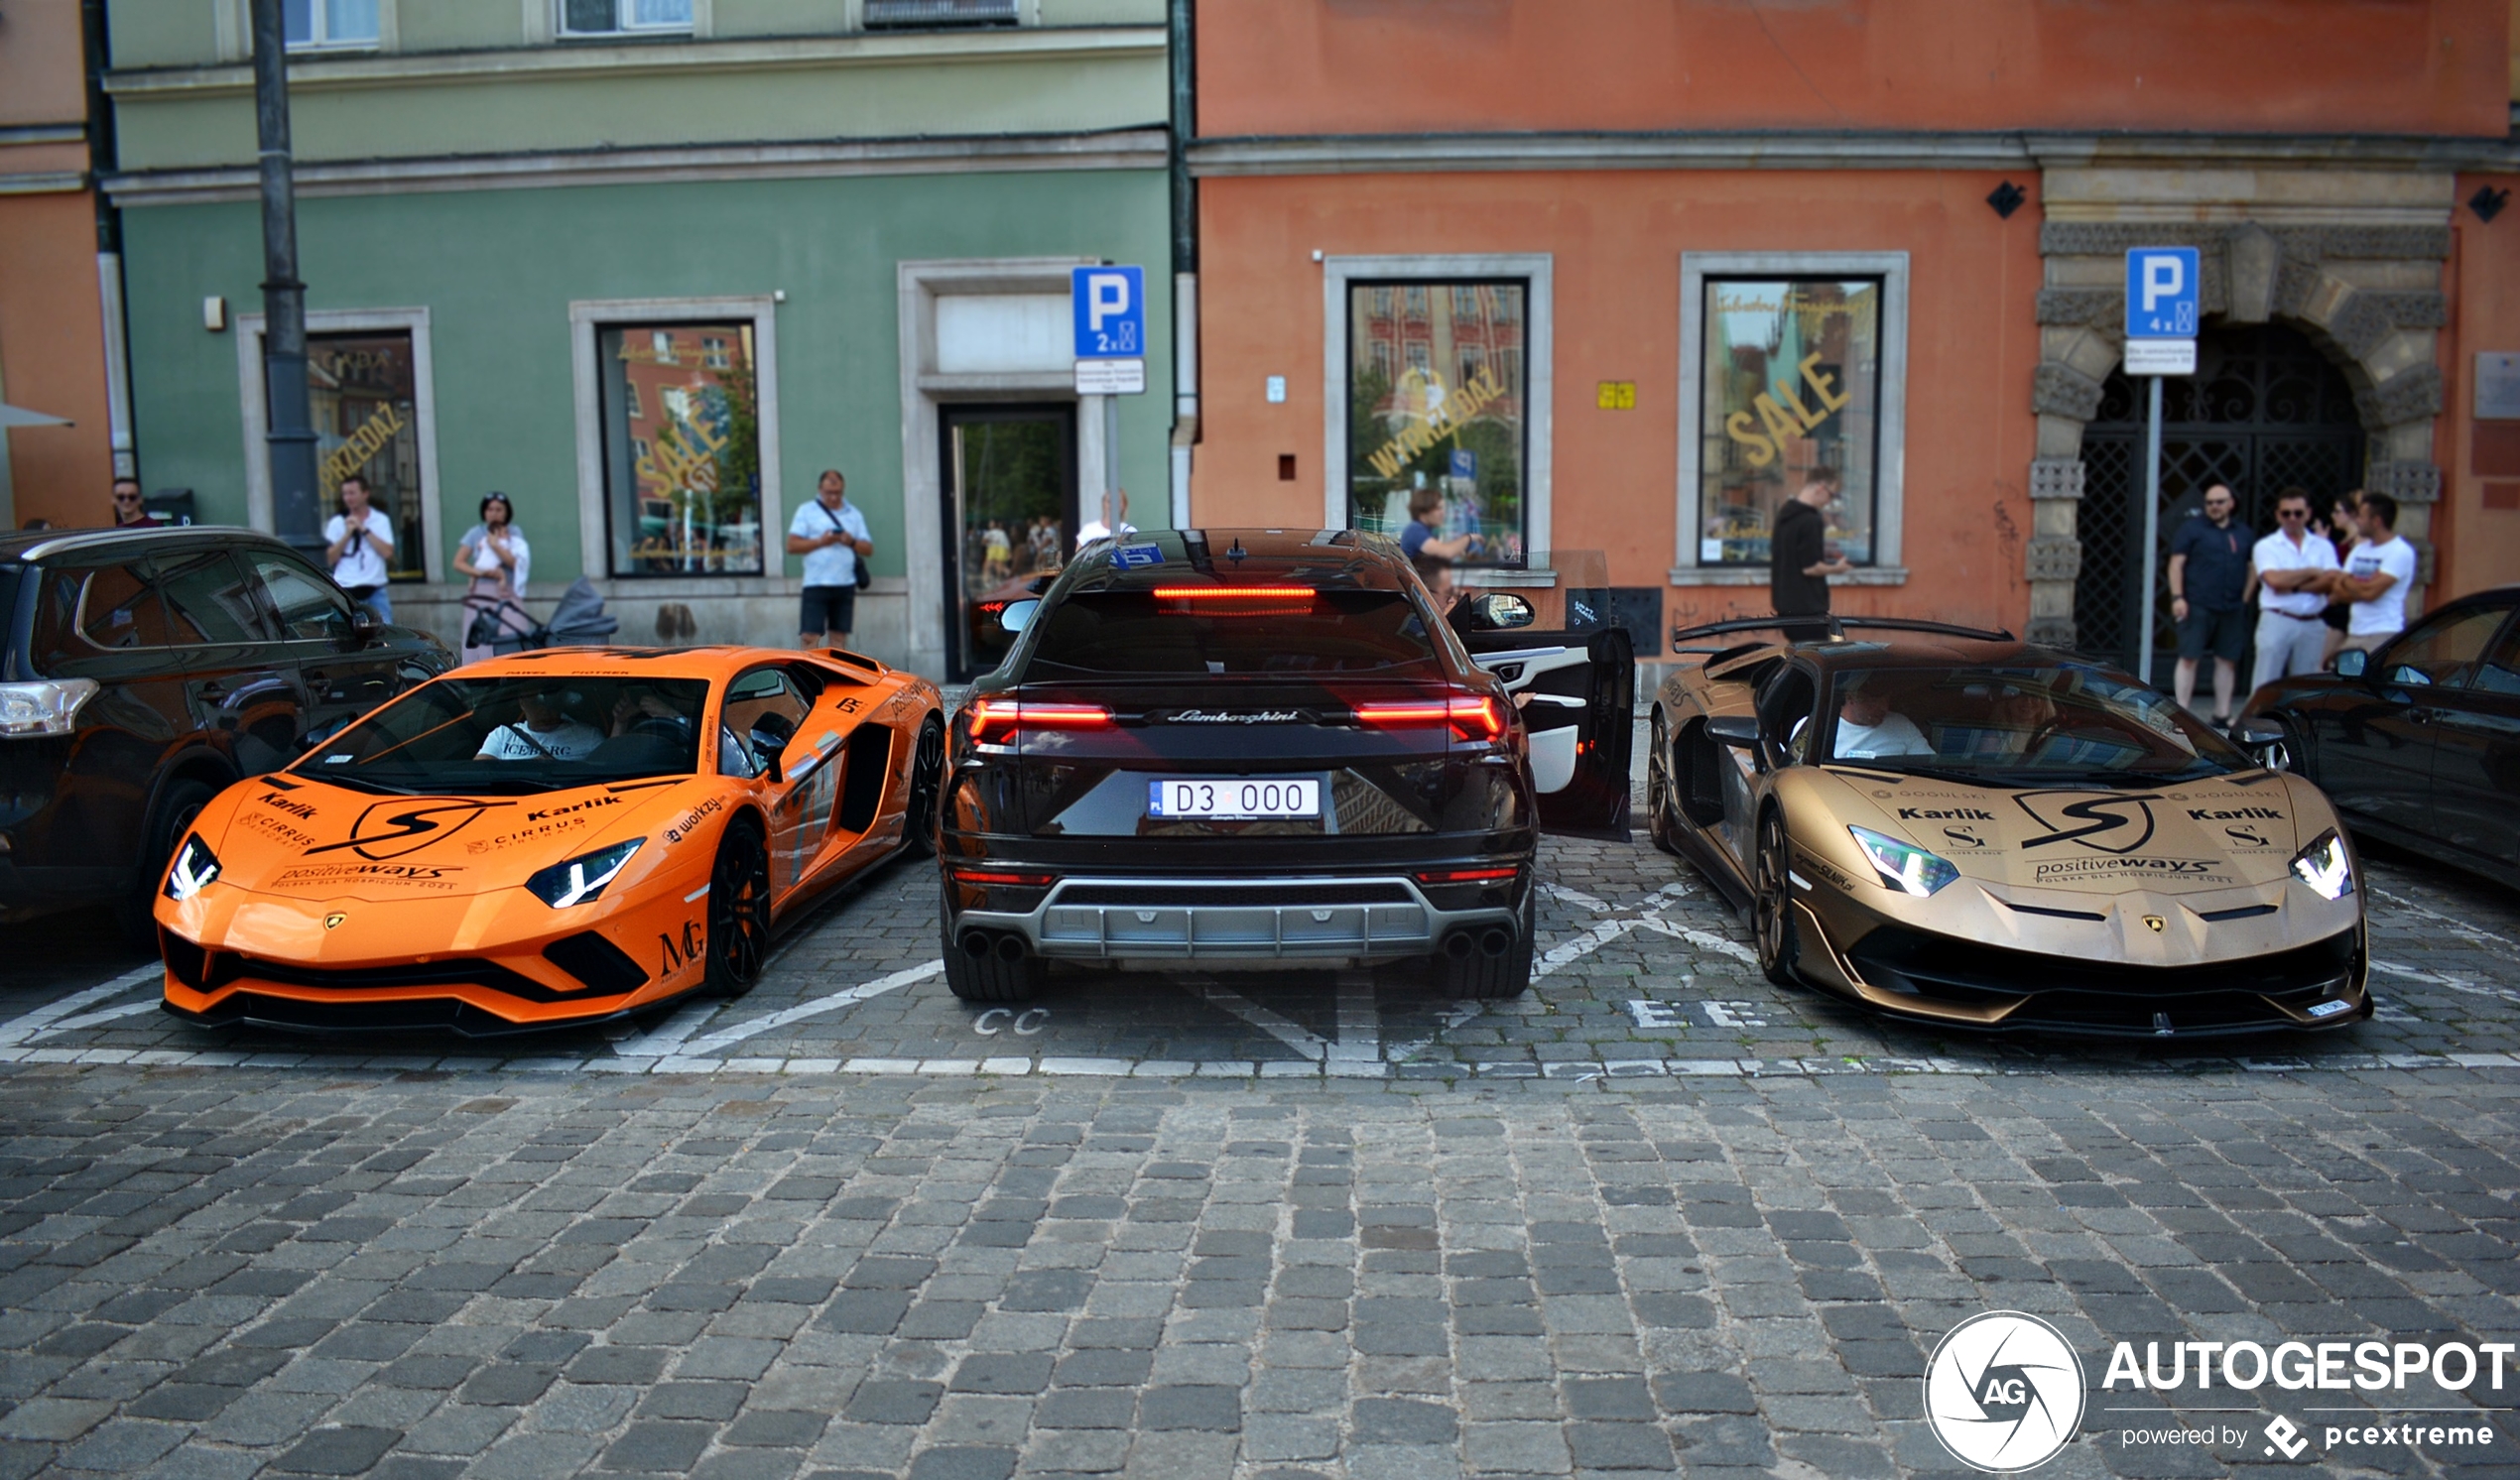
[(147, 669)]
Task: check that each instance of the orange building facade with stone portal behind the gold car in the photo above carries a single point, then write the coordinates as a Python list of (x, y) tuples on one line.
[(1881, 238)]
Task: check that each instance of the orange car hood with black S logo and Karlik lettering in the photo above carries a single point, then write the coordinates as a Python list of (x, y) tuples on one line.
[(304, 838)]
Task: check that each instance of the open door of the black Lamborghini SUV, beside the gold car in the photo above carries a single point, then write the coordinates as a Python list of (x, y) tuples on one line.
[(1546, 632)]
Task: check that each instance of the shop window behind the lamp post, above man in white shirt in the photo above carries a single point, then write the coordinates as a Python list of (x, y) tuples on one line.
[(364, 400)]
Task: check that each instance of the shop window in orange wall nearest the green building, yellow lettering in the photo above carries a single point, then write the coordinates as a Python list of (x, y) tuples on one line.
[(1458, 432)]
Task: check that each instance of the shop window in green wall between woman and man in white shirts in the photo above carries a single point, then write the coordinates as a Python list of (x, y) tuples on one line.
[(687, 495)]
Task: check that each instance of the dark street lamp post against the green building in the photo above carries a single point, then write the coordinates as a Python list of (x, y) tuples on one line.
[(283, 296)]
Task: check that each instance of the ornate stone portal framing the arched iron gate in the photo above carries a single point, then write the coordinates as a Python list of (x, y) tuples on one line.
[(2368, 294)]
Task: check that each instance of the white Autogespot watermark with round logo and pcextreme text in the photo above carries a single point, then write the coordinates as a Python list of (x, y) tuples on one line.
[(2007, 1393)]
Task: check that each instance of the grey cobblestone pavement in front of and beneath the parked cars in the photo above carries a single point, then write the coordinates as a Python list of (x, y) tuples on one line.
[(1659, 1217)]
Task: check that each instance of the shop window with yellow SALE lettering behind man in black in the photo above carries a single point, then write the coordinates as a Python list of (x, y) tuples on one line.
[(1790, 387)]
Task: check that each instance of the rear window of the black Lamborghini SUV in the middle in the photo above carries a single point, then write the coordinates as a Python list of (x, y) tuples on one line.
[(1188, 632)]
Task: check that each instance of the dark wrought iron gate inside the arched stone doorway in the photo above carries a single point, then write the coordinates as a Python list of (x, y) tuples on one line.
[(2264, 412)]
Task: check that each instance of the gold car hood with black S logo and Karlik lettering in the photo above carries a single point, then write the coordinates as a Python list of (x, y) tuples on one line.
[(2189, 838)]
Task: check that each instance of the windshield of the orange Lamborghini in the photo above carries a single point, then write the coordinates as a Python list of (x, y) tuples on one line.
[(510, 735)]
